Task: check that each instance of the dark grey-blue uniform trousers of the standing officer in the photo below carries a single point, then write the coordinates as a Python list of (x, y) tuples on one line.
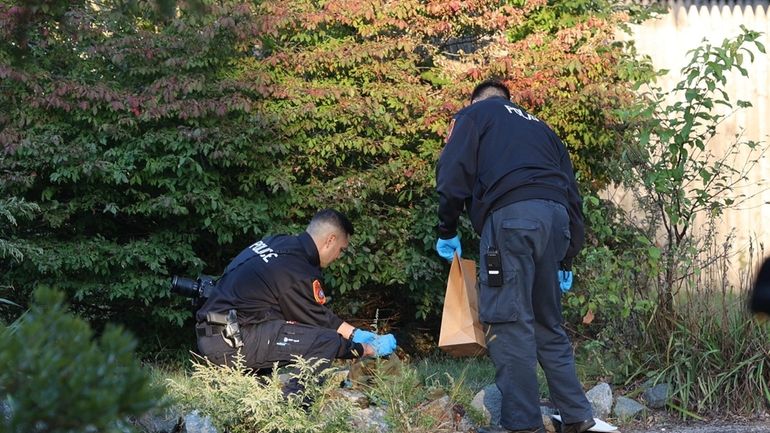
[(524, 316)]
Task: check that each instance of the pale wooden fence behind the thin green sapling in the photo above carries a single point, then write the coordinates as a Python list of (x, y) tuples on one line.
[(667, 40)]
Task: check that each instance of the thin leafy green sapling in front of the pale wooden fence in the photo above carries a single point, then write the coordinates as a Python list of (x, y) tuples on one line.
[(674, 172)]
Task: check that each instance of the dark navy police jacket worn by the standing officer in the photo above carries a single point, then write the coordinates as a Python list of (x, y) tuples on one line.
[(496, 154)]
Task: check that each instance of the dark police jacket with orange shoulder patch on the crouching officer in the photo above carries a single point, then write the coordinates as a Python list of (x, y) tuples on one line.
[(277, 278)]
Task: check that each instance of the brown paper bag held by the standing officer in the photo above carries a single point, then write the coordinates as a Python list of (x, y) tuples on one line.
[(461, 332)]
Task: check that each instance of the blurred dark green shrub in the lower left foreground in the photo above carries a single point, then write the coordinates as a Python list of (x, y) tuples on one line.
[(55, 377)]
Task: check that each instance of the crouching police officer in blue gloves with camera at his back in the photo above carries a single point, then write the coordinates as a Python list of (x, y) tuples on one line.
[(270, 304)]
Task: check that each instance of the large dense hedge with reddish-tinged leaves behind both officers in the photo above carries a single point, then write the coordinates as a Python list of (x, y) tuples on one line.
[(161, 147)]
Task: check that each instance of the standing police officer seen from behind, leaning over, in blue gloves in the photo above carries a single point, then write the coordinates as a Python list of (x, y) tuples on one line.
[(515, 177)]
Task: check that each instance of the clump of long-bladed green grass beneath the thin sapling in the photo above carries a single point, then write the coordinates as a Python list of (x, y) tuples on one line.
[(717, 358)]
